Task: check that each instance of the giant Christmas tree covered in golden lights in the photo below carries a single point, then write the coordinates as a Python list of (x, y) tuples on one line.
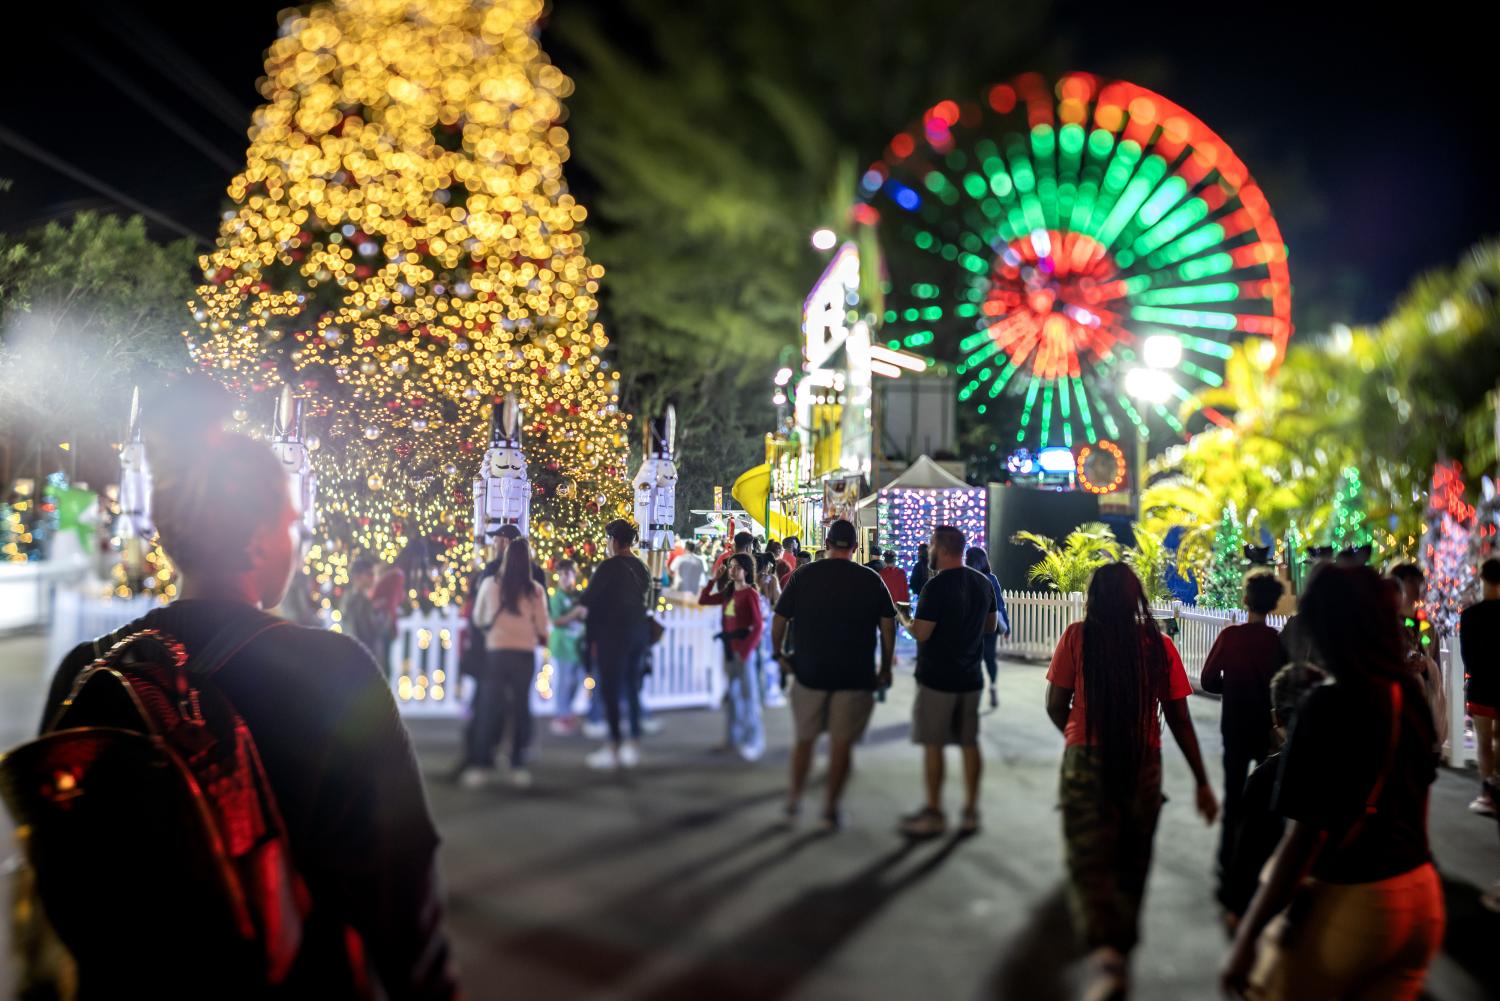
[(404, 253)]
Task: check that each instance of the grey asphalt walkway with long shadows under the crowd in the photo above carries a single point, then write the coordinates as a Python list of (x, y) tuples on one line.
[(679, 882)]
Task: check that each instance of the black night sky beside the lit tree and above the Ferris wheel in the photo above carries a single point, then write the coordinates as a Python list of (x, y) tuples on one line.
[(1367, 136)]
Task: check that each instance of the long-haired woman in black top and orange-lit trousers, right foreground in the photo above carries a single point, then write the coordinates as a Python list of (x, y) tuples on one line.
[(1352, 906)]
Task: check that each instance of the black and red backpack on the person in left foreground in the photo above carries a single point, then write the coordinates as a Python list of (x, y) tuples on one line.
[(151, 828)]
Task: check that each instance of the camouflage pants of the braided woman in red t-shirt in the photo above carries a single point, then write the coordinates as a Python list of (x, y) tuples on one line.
[(1108, 849)]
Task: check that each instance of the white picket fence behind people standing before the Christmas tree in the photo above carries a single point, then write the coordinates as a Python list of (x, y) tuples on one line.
[(686, 666)]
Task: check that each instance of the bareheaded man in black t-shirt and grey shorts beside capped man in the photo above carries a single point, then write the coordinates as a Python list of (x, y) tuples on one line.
[(955, 613)]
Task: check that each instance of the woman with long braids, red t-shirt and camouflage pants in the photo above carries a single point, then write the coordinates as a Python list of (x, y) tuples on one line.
[(1112, 679)]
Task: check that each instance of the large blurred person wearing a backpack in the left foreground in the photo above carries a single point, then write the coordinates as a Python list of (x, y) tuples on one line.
[(277, 838)]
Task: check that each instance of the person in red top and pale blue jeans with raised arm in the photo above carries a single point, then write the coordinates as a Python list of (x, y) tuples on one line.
[(734, 589)]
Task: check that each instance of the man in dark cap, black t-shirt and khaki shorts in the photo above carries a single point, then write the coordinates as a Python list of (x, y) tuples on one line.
[(835, 607)]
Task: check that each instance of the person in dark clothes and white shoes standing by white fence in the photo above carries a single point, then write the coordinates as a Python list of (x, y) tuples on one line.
[(617, 633)]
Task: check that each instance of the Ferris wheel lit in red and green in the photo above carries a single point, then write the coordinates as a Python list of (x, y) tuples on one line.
[(1063, 229)]
